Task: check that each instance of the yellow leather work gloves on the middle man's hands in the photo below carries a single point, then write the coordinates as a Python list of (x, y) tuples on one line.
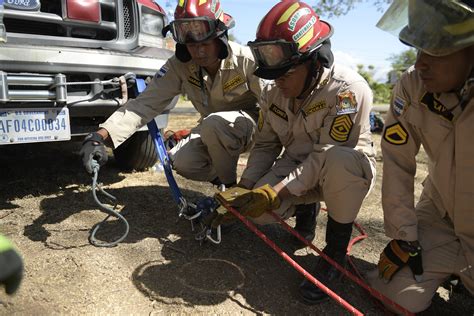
[(251, 203)]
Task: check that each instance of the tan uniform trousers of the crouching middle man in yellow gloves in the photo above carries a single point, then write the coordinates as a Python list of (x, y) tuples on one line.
[(345, 179)]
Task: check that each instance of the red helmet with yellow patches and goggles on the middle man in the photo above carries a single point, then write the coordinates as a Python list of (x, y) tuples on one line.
[(287, 35)]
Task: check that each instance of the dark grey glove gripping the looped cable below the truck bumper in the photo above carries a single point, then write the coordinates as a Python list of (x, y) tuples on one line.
[(93, 148)]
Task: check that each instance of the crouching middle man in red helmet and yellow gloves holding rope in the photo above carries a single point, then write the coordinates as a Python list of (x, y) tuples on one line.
[(318, 113)]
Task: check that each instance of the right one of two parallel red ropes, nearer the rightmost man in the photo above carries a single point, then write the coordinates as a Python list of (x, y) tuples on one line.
[(351, 276)]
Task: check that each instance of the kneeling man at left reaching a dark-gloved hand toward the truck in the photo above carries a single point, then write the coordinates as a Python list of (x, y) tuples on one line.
[(217, 77)]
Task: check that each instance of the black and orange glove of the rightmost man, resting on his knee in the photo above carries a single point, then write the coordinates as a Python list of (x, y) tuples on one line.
[(396, 255)]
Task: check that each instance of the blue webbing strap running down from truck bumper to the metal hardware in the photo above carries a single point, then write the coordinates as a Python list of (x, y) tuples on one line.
[(162, 153)]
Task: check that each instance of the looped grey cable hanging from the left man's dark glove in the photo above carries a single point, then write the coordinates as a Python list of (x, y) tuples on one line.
[(109, 211)]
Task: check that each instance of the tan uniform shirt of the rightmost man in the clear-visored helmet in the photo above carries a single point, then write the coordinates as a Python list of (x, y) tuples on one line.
[(437, 122)]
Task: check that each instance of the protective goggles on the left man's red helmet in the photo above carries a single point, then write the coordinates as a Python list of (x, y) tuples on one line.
[(193, 30)]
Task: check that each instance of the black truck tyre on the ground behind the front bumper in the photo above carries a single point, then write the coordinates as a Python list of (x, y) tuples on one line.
[(136, 153)]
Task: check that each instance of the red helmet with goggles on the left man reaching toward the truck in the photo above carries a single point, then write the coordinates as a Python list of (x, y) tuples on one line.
[(199, 20)]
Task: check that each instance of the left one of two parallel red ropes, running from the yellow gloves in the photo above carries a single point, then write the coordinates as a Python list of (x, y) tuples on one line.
[(293, 263)]
